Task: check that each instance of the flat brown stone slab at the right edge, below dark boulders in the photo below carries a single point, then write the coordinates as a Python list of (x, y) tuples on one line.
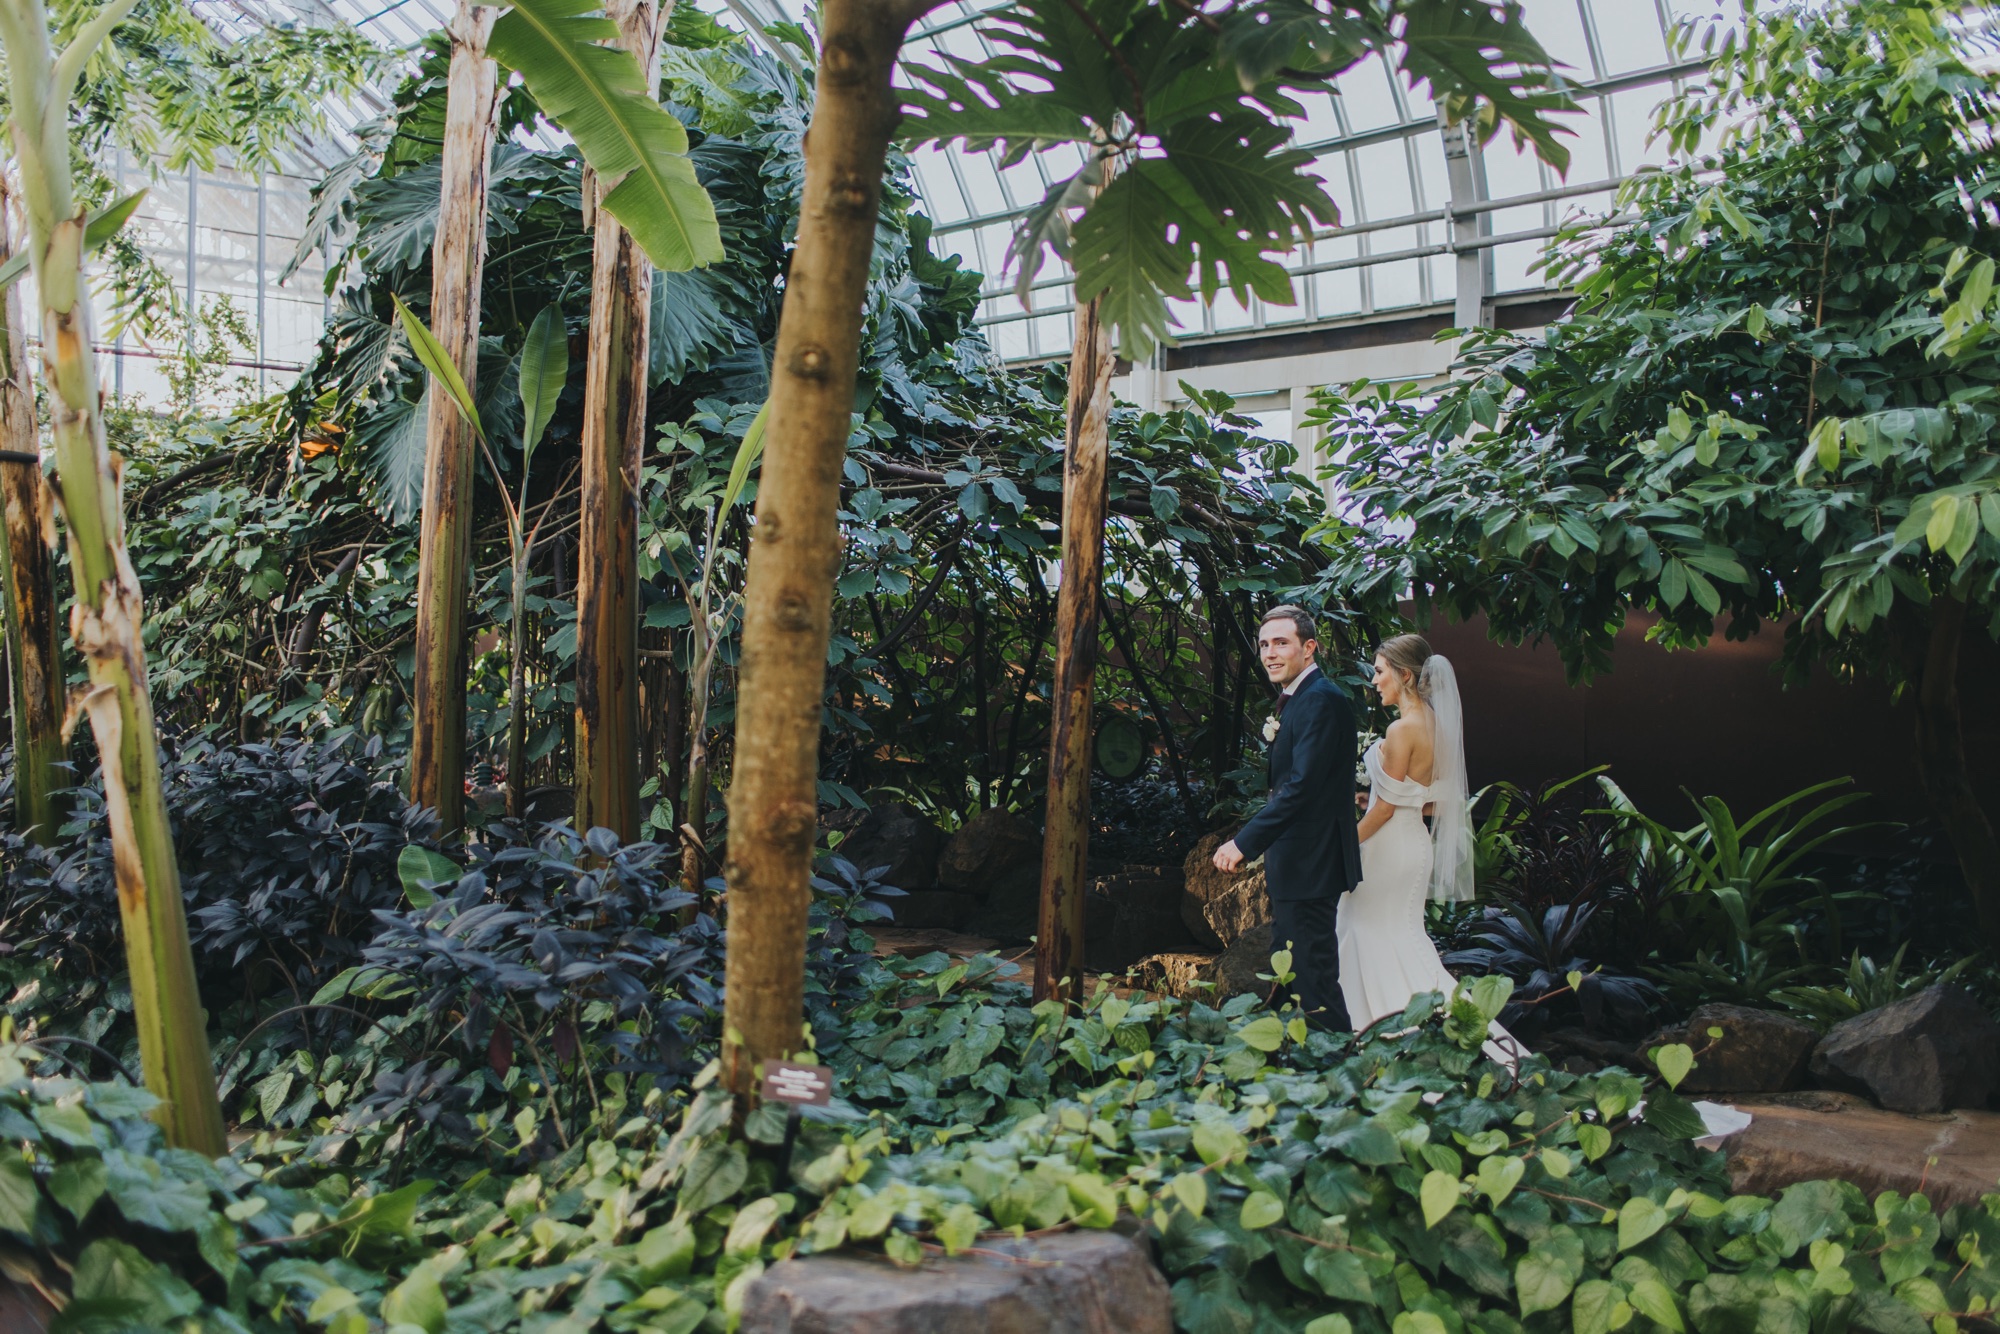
[(1811, 1137)]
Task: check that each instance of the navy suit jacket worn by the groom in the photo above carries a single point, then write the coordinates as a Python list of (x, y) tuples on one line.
[(1307, 829)]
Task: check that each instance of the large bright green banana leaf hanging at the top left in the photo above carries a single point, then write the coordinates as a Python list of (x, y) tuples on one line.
[(601, 99)]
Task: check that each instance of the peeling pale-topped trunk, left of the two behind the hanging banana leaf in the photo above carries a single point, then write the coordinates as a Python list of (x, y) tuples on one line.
[(445, 541)]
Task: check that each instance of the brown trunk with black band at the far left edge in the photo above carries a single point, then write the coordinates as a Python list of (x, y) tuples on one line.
[(29, 585)]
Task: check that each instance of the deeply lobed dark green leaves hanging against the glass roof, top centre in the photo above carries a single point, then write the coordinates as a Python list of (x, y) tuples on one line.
[(1191, 177)]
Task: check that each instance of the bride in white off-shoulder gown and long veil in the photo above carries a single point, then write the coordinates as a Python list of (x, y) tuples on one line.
[(1417, 769)]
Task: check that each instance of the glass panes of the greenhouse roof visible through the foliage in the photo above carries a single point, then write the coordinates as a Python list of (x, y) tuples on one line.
[(1427, 229)]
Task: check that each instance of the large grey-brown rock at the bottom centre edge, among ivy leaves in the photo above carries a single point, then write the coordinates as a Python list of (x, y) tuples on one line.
[(1075, 1283)]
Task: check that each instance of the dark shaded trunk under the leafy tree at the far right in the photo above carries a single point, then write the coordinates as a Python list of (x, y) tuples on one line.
[(1941, 759)]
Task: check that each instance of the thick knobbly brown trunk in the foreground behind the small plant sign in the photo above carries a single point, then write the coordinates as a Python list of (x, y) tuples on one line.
[(795, 551)]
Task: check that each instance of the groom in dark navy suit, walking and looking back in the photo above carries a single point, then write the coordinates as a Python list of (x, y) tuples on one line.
[(1307, 829)]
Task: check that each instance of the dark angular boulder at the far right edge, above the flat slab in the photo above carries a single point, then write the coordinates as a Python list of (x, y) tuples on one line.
[(1925, 1053)]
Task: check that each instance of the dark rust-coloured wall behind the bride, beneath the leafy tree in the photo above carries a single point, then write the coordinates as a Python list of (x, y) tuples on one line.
[(1715, 721)]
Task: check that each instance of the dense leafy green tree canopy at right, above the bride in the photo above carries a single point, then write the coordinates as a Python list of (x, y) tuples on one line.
[(1775, 397)]
